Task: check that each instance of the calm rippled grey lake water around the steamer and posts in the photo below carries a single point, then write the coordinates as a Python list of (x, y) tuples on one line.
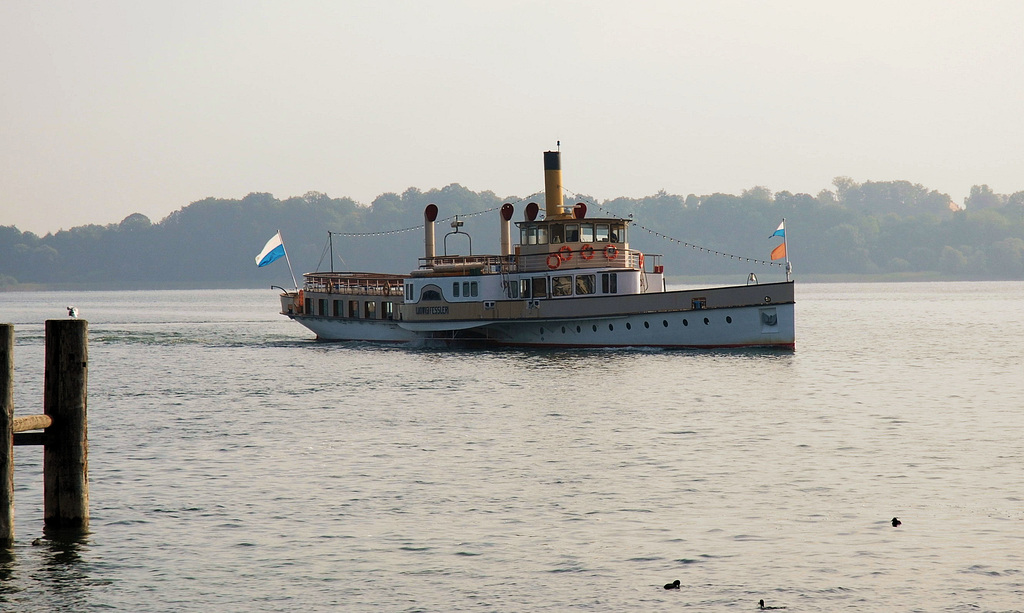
[(236, 465)]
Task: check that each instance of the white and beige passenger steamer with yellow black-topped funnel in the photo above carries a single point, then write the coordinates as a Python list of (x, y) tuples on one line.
[(571, 282)]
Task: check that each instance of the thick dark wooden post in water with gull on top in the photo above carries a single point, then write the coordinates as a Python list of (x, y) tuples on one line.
[(66, 452)]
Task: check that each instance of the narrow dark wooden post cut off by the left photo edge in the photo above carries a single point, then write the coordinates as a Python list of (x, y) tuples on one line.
[(7, 435)]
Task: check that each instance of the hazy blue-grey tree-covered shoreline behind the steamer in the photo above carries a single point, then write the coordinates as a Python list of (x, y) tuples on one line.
[(894, 230)]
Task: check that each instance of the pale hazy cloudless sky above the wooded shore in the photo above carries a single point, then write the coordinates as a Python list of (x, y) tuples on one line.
[(109, 109)]
